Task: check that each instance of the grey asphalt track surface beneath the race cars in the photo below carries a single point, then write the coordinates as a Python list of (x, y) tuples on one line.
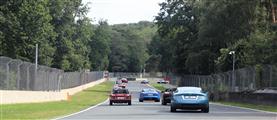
[(155, 111)]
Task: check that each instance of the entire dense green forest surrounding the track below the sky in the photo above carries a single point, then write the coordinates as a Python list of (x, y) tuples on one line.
[(187, 36)]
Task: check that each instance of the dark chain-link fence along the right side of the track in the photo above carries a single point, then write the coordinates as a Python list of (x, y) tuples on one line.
[(245, 79)]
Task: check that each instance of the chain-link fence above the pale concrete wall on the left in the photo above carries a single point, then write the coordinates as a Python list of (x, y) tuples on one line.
[(19, 75)]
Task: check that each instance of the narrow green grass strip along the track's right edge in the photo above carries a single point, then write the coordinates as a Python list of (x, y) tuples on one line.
[(252, 106)]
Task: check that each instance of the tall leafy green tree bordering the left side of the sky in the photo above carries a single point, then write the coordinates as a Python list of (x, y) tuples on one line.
[(69, 46)]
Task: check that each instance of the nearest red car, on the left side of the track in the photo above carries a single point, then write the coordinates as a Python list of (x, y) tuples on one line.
[(120, 95)]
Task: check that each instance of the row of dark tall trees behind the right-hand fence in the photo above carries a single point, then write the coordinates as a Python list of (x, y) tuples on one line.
[(196, 36)]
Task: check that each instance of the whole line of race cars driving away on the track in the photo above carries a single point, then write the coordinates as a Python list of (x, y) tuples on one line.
[(179, 98)]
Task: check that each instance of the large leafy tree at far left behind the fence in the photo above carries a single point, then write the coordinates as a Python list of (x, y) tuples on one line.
[(26, 23)]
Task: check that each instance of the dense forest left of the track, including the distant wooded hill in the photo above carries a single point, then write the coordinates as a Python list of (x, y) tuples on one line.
[(67, 38)]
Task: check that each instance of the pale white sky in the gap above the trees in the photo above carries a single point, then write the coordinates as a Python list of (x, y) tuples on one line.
[(123, 11)]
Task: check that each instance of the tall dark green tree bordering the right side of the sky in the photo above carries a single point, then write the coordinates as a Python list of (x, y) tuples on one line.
[(177, 25)]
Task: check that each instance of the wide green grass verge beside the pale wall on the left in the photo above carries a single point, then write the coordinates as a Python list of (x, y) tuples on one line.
[(48, 110)]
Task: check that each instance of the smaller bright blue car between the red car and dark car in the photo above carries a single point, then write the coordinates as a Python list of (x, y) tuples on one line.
[(149, 94)]
